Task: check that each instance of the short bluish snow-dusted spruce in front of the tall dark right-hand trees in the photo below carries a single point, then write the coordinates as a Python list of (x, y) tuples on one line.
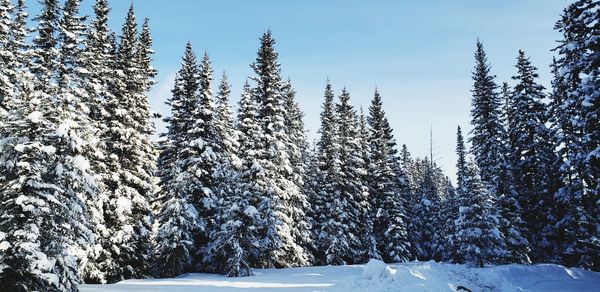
[(477, 238)]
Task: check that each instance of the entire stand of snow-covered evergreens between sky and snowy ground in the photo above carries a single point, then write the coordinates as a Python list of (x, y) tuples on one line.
[(87, 195)]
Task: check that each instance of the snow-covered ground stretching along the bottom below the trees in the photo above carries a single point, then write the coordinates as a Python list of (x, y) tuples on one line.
[(376, 276)]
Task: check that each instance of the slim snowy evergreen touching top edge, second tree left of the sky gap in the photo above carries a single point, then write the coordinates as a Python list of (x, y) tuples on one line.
[(97, 63)]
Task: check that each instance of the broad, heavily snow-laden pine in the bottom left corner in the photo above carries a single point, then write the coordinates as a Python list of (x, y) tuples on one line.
[(40, 218)]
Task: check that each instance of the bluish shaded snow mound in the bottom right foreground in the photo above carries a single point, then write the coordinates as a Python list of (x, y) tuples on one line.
[(432, 276)]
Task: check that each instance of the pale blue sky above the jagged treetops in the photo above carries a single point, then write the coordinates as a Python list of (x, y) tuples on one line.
[(418, 53)]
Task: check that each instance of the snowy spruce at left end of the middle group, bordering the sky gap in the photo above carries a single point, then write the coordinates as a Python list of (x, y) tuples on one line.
[(178, 219)]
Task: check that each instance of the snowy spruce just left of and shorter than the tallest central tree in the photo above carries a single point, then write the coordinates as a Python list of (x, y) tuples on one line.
[(235, 242)]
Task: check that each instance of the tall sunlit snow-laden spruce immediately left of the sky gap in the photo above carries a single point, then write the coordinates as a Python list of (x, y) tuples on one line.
[(131, 160)]
